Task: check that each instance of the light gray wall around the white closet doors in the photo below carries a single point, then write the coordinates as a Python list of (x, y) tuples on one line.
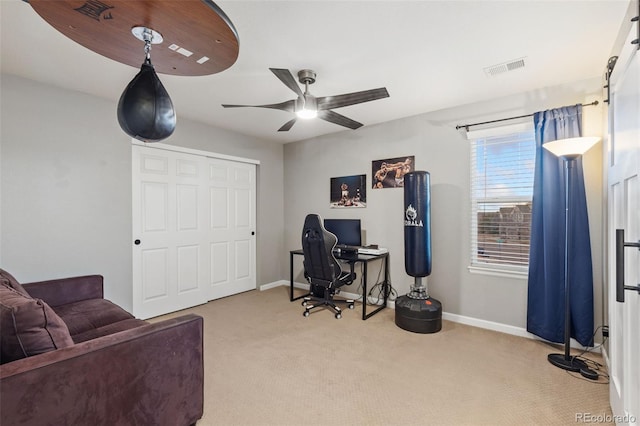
[(66, 187)]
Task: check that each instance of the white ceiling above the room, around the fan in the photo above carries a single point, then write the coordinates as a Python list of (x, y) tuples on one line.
[(430, 55)]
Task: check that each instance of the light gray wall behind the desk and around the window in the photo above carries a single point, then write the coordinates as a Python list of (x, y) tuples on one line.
[(444, 152)]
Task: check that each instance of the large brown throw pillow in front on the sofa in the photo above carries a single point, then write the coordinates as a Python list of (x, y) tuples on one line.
[(28, 326)]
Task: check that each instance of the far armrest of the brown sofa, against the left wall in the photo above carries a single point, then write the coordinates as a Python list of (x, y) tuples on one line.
[(67, 290)]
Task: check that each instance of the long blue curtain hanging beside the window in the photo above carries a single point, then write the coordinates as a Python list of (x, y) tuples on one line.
[(546, 301)]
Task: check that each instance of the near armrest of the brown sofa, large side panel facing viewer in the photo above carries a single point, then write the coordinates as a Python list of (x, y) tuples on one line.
[(153, 374)]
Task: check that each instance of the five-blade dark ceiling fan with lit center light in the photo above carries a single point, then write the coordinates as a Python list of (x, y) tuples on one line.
[(309, 106)]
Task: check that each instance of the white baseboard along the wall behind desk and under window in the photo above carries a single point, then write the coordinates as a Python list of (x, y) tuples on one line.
[(461, 319)]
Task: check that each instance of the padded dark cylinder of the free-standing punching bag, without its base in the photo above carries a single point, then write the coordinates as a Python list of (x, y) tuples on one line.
[(417, 224)]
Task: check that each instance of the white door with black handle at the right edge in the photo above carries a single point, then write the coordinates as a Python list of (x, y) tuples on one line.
[(624, 213)]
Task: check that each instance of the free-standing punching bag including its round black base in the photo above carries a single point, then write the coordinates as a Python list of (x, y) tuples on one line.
[(417, 311)]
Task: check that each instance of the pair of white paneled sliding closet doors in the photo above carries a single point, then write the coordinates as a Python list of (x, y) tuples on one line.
[(193, 229)]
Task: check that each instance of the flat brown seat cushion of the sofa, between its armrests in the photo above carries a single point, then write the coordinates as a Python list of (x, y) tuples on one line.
[(90, 314)]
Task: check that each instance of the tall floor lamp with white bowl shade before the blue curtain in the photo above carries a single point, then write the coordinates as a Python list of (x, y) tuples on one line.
[(569, 150)]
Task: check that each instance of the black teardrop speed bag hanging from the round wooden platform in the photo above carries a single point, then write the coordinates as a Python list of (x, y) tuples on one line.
[(145, 110)]
